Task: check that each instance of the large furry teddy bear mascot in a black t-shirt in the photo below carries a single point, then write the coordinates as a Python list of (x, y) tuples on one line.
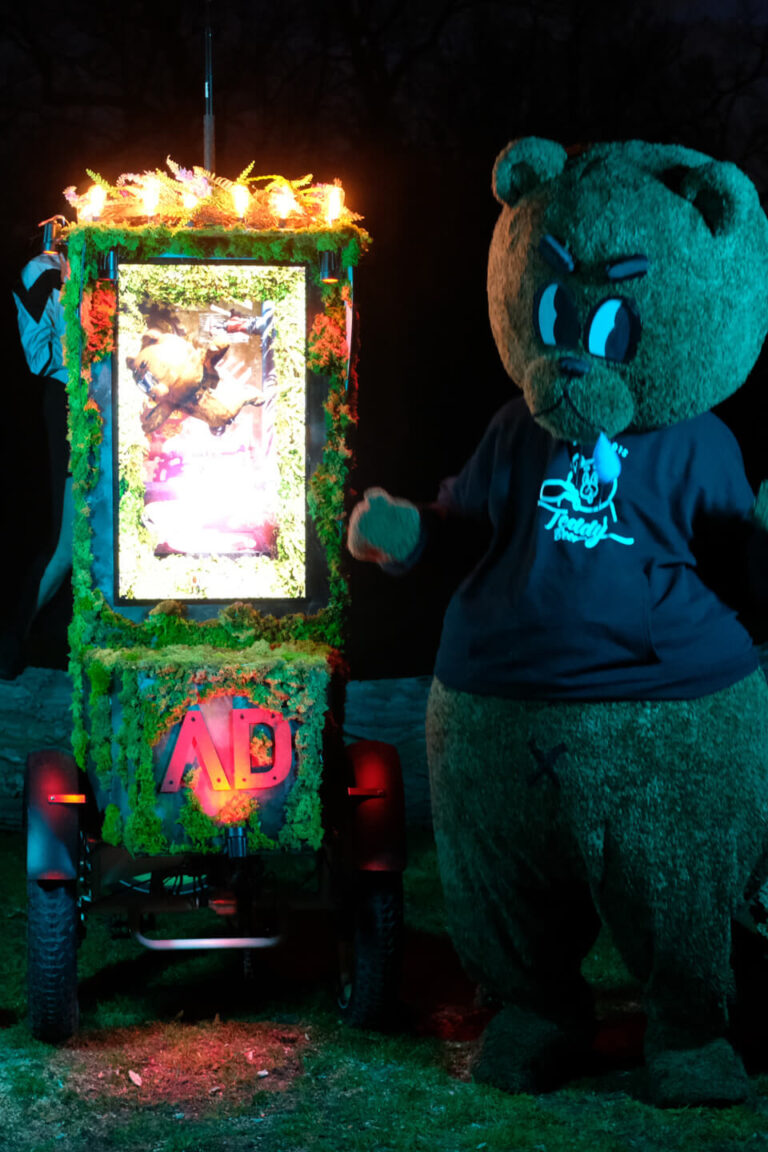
[(598, 725)]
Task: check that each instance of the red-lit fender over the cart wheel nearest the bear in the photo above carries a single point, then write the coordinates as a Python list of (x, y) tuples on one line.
[(377, 827)]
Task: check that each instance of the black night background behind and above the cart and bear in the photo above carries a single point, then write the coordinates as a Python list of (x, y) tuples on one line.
[(408, 104)]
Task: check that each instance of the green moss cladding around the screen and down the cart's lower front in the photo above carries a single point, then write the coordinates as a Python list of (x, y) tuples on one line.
[(135, 679)]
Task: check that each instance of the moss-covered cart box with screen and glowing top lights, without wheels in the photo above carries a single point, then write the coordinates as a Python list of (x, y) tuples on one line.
[(212, 397)]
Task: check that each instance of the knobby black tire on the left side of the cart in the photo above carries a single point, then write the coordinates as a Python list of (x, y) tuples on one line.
[(52, 959)]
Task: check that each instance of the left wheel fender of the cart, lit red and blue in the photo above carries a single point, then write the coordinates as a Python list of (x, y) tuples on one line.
[(52, 830)]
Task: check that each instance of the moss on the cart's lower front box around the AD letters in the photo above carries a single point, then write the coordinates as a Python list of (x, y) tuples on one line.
[(135, 701)]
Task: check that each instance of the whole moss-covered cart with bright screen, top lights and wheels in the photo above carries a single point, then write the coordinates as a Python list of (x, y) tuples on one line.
[(211, 391)]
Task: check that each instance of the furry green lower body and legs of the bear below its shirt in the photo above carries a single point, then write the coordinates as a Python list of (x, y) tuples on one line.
[(651, 813)]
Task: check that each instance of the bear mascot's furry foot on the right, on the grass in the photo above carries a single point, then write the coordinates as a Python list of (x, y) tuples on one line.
[(693, 1078)]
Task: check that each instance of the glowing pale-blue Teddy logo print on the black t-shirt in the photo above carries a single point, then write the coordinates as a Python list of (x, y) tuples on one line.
[(581, 513)]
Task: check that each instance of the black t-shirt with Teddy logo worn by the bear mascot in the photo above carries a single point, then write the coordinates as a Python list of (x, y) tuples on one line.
[(590, 590)]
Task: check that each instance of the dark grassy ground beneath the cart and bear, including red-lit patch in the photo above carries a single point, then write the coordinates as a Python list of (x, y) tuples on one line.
[(187, 1055)]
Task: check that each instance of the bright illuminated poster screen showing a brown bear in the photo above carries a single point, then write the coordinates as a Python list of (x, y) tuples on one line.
[(210, 450)]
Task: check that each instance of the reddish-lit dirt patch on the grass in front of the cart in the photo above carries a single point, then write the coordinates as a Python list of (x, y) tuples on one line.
[(192, 1067)]
